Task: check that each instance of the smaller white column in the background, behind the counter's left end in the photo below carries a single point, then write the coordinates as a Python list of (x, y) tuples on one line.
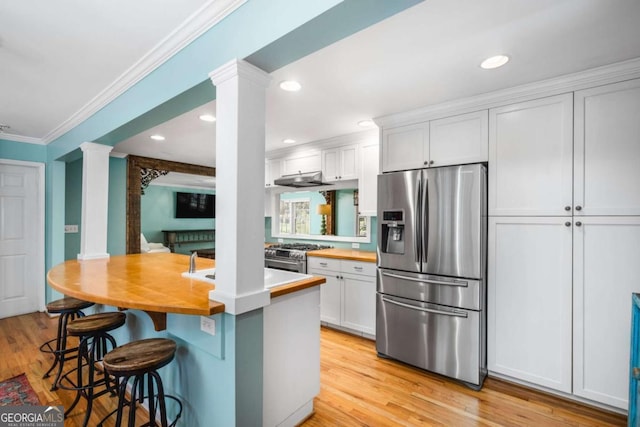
[(95, 200)]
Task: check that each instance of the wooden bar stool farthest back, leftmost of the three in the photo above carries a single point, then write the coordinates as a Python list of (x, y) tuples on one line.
[(69, 309)]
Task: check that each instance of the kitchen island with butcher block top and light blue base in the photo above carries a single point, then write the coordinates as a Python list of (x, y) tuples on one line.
[(280, 377)]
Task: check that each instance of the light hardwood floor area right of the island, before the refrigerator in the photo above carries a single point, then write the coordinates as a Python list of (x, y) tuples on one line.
[(357, 388)]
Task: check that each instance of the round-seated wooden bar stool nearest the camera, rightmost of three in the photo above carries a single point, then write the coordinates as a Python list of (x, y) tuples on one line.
[(136, 360)]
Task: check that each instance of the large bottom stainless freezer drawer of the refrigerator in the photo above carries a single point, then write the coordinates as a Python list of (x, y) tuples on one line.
[(440, 339)]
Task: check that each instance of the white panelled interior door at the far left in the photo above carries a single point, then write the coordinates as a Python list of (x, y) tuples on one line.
[(21, 238)]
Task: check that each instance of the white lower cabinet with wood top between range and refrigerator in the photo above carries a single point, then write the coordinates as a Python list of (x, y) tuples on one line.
[(348, 298)]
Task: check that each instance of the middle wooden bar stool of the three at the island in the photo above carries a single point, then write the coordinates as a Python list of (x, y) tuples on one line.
[(95, 342)]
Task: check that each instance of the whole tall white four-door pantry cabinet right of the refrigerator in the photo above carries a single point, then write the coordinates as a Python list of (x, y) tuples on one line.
[(564, 206)]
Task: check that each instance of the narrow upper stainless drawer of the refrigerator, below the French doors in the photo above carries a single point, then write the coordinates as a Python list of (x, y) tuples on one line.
[(463, 293)]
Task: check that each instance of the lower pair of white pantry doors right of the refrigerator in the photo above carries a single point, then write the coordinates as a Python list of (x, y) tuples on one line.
[(559, 302)]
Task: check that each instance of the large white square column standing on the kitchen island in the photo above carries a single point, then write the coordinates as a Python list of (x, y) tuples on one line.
[(240, 153)]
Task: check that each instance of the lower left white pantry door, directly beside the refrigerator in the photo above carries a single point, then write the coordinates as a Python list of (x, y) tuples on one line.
[(529, 300)]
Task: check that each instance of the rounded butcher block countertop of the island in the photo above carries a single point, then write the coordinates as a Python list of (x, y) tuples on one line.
[(149, 282)]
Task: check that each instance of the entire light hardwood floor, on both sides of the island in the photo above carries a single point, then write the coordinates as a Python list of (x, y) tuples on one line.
[(357, 388)]
